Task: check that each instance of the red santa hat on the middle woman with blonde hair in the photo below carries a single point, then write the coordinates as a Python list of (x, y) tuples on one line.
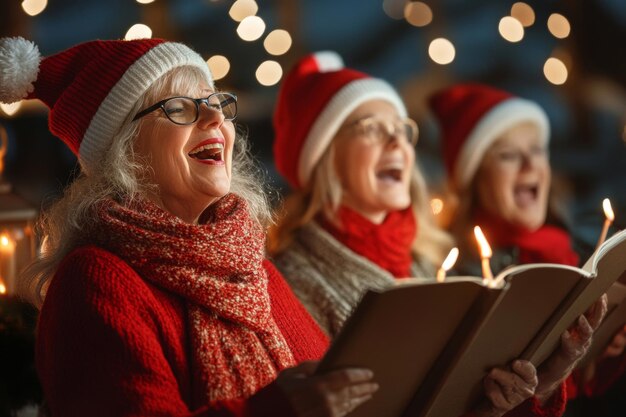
[(317, 95)]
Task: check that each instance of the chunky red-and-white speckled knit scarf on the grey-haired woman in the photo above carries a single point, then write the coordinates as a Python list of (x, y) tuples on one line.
[(217, 268)]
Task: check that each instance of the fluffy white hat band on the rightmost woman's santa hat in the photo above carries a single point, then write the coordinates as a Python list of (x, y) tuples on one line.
[(490, 128)]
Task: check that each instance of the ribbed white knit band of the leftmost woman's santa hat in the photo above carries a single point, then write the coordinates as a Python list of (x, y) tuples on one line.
[(136, 80)]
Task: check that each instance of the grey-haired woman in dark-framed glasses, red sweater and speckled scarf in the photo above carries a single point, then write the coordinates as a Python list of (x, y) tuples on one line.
[(155, 296)]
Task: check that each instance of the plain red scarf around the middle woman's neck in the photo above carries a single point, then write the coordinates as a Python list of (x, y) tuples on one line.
[(388, 244)]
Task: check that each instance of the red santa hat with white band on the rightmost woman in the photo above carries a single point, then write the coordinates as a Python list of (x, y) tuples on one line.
[(472, 117)]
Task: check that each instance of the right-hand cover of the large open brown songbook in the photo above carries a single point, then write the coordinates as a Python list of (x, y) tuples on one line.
[(533, 295)]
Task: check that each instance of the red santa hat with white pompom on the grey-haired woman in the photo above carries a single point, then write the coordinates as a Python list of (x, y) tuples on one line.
[(91, 87)]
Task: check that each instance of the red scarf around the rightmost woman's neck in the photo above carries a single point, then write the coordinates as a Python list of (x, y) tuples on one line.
[(549, 244)]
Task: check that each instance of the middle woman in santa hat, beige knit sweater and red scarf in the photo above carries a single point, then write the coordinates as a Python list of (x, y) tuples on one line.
[(358, 216)]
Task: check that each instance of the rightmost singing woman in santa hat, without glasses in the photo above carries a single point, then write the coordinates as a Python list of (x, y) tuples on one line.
[(495, 149)]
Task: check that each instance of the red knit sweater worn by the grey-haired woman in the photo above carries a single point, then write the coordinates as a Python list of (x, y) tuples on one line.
[(111, 344)]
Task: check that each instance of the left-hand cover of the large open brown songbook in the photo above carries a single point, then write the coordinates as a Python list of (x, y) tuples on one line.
[(399, 333)]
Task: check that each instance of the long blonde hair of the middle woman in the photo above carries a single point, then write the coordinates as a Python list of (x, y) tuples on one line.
[(324, 194)]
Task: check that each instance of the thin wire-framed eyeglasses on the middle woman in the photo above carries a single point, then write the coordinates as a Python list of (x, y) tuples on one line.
[(380, 131)]
